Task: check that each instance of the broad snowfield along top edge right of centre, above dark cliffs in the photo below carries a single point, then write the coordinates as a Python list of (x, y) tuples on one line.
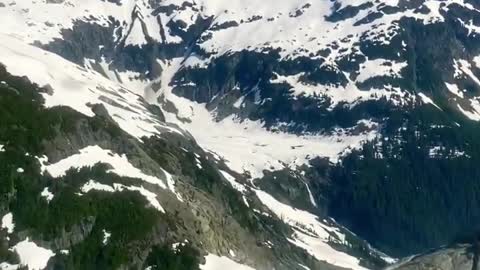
[(296, 35)]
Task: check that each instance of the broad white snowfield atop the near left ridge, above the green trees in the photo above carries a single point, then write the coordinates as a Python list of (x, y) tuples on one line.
[(77, 87)]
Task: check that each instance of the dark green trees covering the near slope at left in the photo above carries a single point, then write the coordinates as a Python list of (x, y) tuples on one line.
[(80, 221)]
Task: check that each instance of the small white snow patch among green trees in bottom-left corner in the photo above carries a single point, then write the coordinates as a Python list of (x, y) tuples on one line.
[(32, 255)]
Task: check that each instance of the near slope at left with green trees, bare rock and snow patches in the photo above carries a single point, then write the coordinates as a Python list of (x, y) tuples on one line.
[(117, 187)]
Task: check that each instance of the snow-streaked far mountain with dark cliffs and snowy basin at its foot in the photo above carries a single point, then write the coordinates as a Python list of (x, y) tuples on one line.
[(315, 59)]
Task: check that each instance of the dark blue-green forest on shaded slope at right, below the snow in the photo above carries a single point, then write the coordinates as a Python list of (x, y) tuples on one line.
[(416, 187)]
